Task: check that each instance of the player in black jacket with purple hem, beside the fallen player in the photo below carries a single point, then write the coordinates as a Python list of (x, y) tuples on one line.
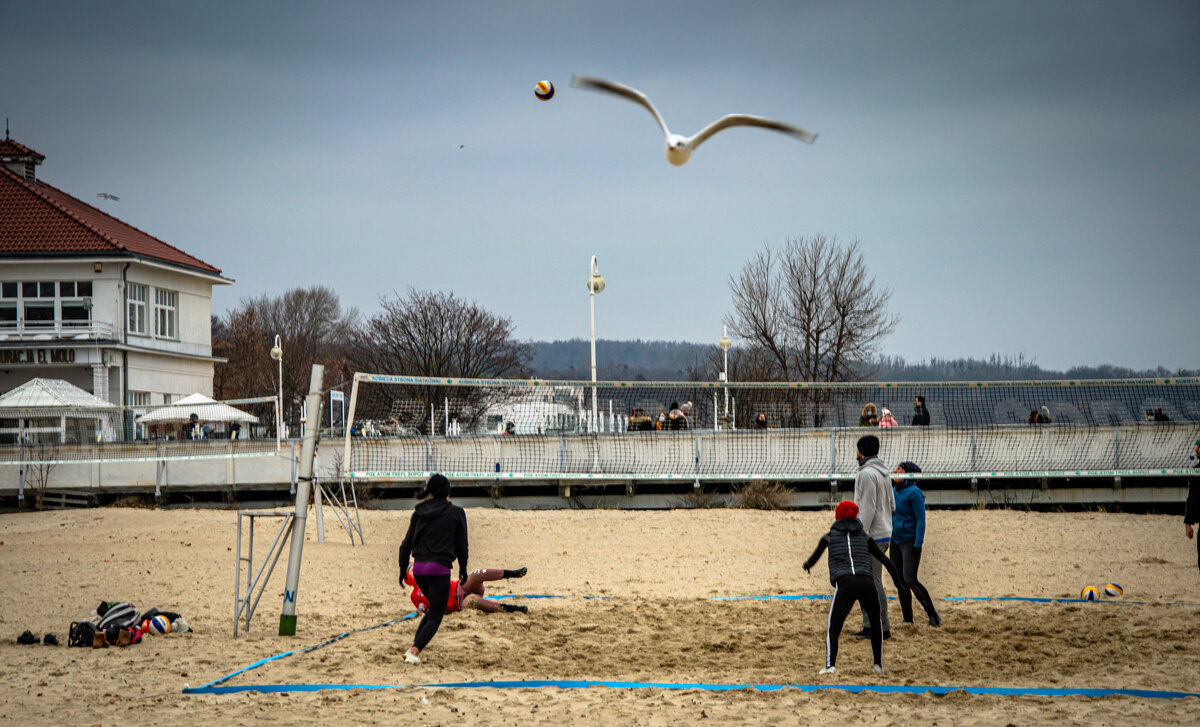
[(436, 538)]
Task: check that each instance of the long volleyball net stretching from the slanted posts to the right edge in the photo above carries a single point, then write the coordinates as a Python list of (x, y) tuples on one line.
[(405, 428)]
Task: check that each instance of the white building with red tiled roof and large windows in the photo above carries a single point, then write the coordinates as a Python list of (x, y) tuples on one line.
[(95, 302)]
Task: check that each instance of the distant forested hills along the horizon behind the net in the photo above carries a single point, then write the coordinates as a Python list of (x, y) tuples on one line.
[(673, 362)]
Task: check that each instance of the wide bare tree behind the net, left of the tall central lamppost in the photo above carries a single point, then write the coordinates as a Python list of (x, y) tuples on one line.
[(436, 334)]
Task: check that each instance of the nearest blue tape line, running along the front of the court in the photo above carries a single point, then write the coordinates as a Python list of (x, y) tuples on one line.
[(1007, 692)]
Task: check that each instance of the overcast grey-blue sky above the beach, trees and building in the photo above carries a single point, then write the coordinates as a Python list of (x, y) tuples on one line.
[(1023, 176)]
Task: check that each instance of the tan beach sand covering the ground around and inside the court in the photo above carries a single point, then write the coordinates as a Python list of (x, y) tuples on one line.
[(658, 622)]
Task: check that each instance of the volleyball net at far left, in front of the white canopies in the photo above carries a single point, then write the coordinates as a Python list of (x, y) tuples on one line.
[(44, 432)]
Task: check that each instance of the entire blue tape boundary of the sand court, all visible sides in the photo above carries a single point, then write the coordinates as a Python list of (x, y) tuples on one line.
[(213, 688)]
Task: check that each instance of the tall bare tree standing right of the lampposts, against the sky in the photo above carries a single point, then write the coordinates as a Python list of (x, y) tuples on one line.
[(811, 313)]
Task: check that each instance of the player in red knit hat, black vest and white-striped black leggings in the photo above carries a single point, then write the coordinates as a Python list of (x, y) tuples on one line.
[(850, 573)]
